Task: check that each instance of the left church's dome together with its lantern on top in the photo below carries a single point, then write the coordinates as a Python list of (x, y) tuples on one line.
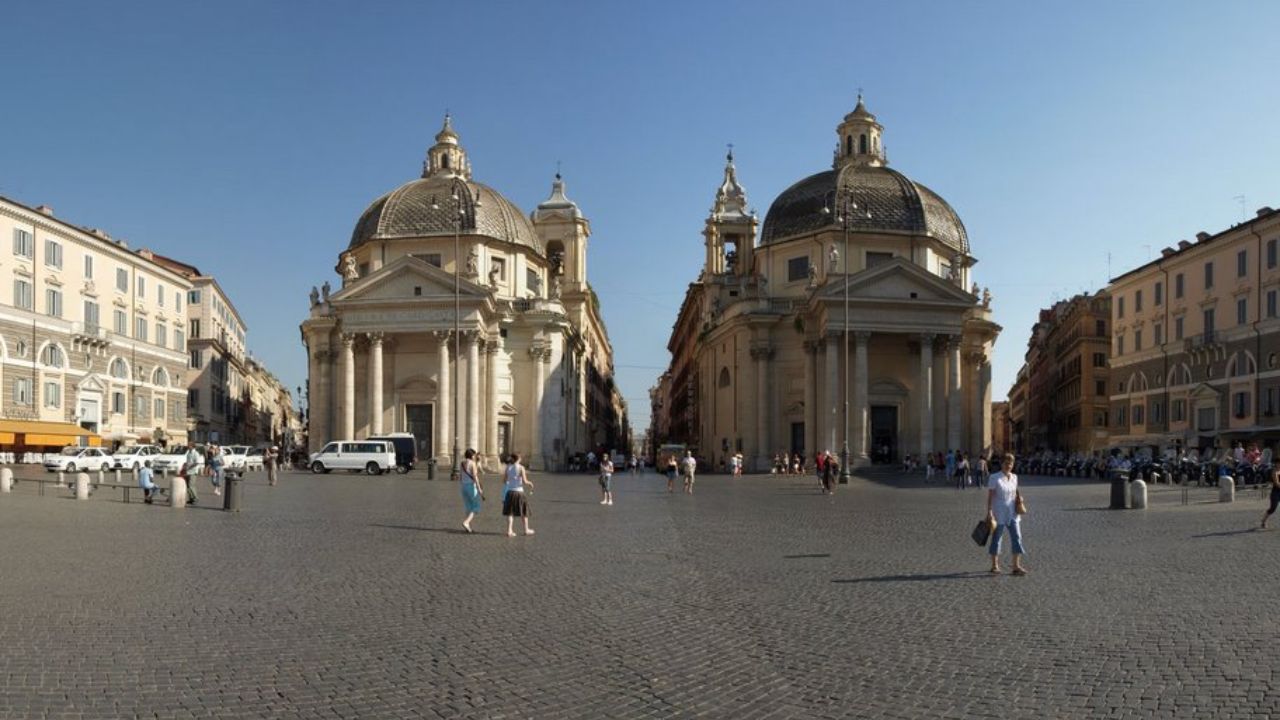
[(427, 207)]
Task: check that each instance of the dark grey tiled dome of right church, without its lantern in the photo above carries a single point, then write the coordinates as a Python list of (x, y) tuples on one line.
[(895, 203)]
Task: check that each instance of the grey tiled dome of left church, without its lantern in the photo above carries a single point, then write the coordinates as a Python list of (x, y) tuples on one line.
[(406, 213)]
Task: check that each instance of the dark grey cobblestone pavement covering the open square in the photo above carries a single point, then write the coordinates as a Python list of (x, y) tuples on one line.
[(345, 596)]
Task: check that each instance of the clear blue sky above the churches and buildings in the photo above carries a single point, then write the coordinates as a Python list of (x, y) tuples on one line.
[(248, 138)]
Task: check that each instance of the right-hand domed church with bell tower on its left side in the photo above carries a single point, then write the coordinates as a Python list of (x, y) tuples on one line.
[(858, 291)]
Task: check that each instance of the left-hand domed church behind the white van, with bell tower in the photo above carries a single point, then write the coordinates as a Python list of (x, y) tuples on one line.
[(460, 318)]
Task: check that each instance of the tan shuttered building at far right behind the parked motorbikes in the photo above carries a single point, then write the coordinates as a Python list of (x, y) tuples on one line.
[(1196, 341)]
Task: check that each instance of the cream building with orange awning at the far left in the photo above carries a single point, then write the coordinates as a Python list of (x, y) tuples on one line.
[(93, 336)]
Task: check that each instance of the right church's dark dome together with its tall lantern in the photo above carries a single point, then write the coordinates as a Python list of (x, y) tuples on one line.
[(888, 200)]
